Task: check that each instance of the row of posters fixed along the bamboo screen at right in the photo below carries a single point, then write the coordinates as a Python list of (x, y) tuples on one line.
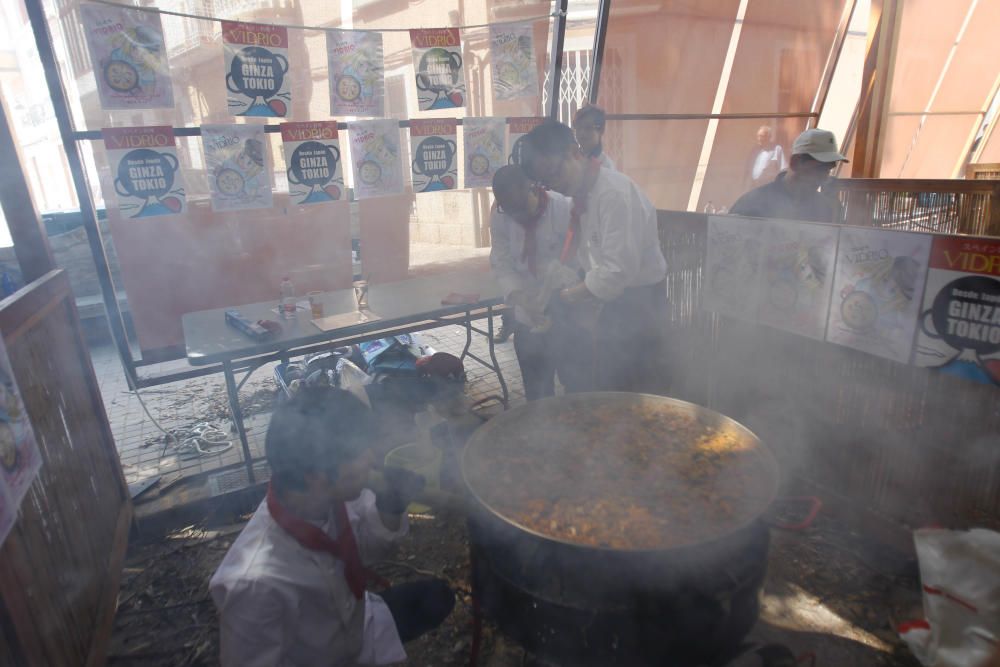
[(929, 300)]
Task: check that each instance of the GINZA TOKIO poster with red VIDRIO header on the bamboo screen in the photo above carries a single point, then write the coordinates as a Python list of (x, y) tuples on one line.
[(958, 331)]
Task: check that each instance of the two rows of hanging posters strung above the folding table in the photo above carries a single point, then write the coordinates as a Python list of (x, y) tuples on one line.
[(132, 70)]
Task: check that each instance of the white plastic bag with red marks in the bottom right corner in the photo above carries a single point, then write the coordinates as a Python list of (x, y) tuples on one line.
[(960, 576)]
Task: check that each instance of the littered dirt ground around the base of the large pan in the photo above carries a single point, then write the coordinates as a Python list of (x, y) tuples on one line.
[(830, 595)]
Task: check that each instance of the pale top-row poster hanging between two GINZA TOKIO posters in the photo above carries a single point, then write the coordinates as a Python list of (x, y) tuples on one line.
[(357, 73)]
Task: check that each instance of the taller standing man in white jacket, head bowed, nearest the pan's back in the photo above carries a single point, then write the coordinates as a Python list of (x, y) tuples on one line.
[(614, 233)]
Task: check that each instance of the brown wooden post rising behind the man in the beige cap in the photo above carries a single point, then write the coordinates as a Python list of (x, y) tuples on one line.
[(883, 33)]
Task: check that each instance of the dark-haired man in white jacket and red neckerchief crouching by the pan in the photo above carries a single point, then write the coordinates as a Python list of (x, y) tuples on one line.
[(292, 588)]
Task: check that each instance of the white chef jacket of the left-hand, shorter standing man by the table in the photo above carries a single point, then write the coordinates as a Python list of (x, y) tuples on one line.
[(506, 254)]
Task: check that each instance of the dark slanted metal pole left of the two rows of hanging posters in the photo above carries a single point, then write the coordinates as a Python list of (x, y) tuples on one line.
[(43, 40)]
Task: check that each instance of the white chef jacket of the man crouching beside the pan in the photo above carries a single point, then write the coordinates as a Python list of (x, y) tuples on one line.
[(284, 605)]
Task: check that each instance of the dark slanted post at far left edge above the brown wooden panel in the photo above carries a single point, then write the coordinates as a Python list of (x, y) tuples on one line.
[(31, 245)]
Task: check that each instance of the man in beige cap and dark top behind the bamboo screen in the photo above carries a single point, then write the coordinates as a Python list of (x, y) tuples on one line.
[(795, 194)]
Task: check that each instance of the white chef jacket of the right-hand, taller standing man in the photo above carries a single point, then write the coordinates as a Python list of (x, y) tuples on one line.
[(620, 246)]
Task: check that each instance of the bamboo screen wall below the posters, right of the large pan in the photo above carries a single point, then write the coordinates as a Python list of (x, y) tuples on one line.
[(909, 444)]
